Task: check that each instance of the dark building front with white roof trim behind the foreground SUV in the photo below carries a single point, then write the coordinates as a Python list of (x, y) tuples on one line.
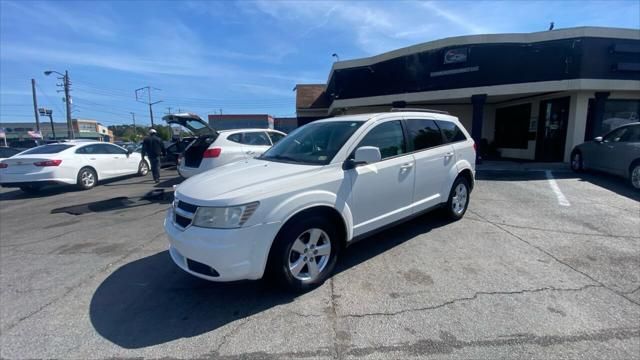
[(528, 96)]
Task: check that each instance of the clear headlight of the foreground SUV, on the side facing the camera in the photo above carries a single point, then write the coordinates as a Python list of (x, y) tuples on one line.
[(224, 217)]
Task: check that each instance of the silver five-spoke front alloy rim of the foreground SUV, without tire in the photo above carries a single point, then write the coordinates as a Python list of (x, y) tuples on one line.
[(309, 255)]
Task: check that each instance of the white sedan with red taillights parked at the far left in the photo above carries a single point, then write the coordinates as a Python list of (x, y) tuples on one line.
[(80, 163)]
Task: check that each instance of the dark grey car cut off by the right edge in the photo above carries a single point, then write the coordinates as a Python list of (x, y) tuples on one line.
[(617, 152)]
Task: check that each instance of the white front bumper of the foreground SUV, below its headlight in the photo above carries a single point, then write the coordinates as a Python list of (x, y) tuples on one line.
[(235, 254)]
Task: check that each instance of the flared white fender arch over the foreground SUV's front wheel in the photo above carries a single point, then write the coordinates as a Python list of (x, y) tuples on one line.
[(310, 199)]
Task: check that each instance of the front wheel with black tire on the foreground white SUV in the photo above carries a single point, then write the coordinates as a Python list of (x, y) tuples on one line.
[(305, 253)]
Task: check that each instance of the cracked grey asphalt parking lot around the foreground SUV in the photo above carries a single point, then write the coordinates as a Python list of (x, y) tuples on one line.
[(523, 275)]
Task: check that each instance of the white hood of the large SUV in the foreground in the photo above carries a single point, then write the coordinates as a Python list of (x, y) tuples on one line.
[(242, 181)]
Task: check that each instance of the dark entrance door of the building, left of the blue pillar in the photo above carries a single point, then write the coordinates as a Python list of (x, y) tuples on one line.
[(552, 129)]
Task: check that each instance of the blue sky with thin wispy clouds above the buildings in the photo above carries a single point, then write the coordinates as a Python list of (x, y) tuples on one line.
[(238, 56)]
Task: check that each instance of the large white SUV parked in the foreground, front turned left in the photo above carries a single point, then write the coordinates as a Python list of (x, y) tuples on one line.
[(327, 184)]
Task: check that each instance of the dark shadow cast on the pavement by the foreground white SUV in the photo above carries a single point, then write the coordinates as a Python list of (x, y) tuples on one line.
[(151, 301)]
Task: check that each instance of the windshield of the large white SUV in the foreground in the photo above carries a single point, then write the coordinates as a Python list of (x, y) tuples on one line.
[(315, 143)]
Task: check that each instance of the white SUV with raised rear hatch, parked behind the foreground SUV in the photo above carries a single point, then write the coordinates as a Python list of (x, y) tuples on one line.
[(216, 148)]
